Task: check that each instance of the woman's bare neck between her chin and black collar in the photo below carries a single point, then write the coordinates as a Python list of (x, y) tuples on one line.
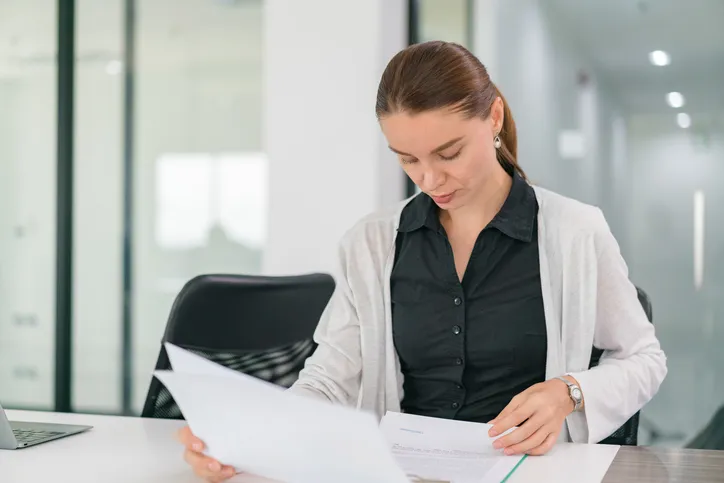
[(476, 214)]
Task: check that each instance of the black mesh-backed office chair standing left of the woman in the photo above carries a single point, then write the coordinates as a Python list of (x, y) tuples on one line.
[(261, 326)]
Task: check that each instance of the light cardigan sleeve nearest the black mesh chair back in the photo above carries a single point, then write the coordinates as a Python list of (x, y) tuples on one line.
[(333, 372)]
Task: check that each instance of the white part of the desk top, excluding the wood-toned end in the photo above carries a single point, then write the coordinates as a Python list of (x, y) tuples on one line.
[(134, 450)]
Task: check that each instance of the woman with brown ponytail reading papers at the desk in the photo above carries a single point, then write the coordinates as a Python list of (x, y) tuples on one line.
[(482, 297)]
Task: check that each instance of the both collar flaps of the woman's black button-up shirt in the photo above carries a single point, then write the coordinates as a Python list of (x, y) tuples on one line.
[(516, 218)]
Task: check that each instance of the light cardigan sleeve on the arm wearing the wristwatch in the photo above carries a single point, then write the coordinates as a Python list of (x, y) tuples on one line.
[(633, 365)]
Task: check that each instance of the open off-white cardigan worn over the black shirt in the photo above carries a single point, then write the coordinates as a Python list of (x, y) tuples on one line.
[(587, 297)]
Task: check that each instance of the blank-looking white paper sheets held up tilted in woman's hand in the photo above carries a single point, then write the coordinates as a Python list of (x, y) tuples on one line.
[(266, 431)]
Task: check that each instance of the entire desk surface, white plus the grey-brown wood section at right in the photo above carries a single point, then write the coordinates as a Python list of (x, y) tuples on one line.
[(134, 450)]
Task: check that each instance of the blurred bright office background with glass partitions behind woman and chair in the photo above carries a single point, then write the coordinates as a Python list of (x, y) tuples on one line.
[(239, 136)]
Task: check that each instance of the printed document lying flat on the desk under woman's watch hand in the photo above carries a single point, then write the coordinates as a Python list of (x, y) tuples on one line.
[(441, 450)]
